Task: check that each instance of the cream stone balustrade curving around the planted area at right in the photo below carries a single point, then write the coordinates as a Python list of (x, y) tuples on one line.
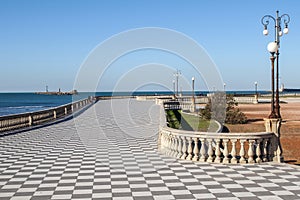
[(217, 147)]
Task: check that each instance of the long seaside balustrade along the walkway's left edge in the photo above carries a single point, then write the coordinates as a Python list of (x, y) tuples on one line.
[(13, 122)]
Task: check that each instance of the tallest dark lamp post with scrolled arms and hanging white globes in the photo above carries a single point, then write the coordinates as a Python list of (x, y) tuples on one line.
[(278, 33)]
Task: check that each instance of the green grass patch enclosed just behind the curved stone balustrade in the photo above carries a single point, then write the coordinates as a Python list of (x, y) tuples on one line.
[(179, 120)]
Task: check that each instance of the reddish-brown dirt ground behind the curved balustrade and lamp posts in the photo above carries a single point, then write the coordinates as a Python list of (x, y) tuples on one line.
[(290, 129)]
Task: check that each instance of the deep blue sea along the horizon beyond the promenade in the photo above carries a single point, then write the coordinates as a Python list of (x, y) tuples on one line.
[(16, 103)]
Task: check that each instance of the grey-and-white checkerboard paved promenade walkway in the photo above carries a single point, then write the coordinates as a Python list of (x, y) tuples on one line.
[(112, 154)]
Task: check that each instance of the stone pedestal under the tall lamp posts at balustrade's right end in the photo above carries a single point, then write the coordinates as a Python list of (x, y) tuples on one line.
[(273, 125)]
